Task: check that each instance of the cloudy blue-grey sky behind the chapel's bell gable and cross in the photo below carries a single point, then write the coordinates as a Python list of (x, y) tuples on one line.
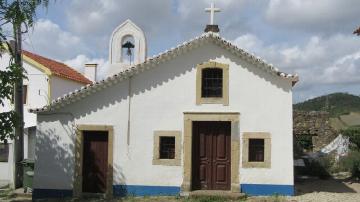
[(310, 38)]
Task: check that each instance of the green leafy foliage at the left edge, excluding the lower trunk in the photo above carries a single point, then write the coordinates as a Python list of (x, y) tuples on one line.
[(16, 13)]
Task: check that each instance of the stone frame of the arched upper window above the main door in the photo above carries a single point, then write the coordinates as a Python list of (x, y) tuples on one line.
[(225, 91)]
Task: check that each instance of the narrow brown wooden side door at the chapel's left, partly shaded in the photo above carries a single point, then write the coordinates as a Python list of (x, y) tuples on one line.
[(95, 161)]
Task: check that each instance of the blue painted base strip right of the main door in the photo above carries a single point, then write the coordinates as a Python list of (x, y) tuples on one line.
[(267, 189)]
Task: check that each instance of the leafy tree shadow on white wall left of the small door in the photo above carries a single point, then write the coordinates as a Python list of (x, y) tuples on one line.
[(54, 173)]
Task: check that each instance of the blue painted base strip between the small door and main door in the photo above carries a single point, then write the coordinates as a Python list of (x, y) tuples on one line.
[(139, 190)]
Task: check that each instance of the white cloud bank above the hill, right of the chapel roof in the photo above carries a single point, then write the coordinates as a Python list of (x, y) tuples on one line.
[(331, 60)]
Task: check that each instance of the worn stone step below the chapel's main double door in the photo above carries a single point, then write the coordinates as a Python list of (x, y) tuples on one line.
[(221, 193)]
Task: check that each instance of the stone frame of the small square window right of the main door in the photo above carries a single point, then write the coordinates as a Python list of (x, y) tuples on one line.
[(267, 150)]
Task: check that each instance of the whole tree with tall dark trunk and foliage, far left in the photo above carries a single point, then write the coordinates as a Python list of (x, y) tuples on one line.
[(20, 14)]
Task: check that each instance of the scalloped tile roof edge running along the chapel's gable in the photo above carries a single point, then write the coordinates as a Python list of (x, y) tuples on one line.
[(158, 59)]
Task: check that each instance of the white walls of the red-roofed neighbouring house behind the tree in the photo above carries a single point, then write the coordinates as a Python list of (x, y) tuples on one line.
[(37, 96)]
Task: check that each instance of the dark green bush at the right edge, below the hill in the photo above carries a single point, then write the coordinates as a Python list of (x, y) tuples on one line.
[(351, 163)]
